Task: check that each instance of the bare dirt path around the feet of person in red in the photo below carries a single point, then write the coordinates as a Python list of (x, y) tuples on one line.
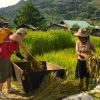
[(18, 96)]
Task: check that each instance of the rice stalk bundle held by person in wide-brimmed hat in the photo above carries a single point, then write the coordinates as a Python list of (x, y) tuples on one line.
[(93, 65)]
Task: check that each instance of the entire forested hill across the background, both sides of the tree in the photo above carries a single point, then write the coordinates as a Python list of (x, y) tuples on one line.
[(56, 10)]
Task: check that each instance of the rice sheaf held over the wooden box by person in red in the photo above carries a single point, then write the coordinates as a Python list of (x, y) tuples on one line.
[(35, 65)]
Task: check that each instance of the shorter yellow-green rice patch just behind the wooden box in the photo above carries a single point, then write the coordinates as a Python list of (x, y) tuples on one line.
[(64, 58)]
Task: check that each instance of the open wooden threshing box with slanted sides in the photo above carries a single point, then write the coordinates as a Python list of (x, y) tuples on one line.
[(30, 79)]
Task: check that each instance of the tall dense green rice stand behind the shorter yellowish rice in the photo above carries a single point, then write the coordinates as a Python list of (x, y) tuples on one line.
[(40, 42)]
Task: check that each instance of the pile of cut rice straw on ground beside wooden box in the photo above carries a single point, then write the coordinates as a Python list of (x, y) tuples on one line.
[(55, 88)]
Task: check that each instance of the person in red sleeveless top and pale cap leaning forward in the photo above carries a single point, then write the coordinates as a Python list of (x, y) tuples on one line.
[(10, 46)]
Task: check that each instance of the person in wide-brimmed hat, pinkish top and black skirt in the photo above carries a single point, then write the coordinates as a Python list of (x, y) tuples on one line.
[(84, 46)]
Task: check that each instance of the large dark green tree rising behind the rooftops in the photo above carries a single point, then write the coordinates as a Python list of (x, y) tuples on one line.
[(30, 15)]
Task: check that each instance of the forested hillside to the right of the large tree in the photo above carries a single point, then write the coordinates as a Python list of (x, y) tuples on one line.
[(55, 10)]
